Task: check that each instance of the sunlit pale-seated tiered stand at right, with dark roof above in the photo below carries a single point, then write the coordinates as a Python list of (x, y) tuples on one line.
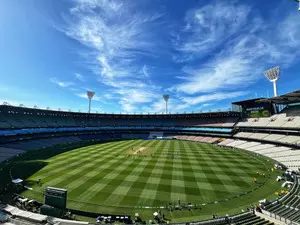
[(276, 136)]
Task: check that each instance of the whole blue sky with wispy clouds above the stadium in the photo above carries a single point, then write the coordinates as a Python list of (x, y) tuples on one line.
[(205, 54)]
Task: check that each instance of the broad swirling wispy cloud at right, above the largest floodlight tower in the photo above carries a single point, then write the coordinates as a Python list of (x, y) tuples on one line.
[(249, 46)]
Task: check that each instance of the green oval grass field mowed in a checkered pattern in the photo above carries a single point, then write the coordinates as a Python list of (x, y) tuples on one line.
[(127, 176)]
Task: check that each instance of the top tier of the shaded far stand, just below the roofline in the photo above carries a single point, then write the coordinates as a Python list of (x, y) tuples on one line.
[(19, 117)]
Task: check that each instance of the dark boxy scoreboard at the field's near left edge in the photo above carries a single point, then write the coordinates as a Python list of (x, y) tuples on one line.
[(56, 197)]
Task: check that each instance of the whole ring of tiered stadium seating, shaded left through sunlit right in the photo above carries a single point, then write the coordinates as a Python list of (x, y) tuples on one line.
[(275, 136)]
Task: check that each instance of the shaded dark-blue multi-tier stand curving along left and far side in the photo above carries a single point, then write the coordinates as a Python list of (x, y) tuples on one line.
[(24, 129)]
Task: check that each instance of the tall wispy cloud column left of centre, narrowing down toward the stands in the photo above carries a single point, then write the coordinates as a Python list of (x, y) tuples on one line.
[(116, 35)]
